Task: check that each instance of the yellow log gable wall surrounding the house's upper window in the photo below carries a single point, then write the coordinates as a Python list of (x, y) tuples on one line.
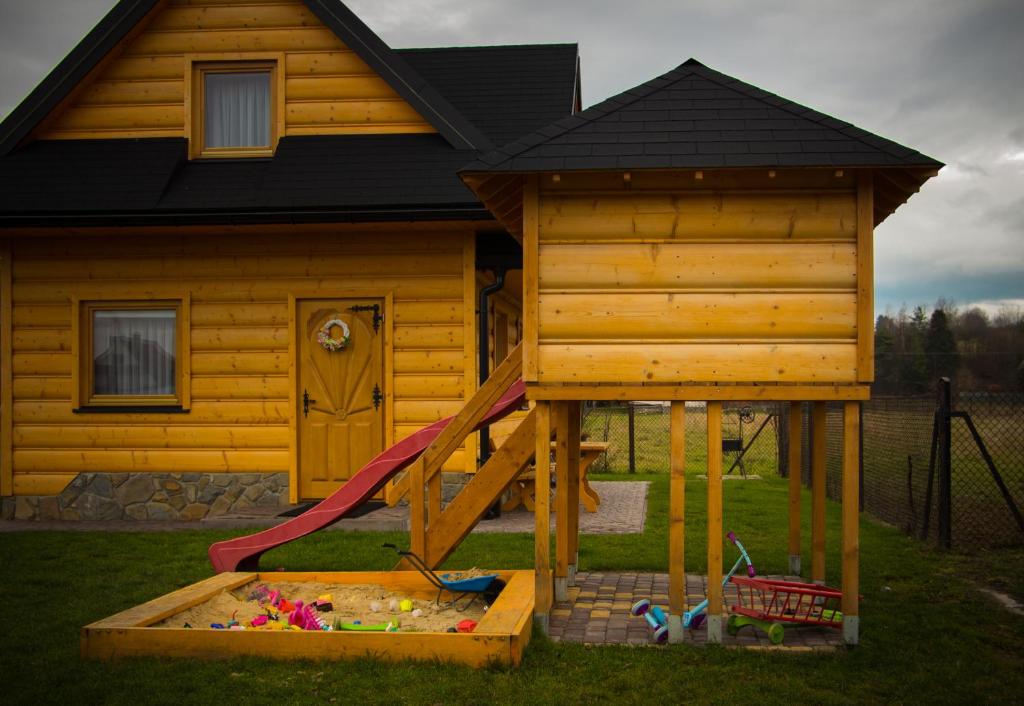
[(142, 94)]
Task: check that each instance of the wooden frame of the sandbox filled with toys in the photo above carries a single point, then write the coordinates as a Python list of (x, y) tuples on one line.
[(500, 638)]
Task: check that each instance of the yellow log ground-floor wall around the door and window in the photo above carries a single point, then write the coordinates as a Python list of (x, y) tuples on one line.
[(239, 286)]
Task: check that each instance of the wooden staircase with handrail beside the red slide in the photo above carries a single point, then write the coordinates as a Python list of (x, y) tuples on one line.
[(437, 534)]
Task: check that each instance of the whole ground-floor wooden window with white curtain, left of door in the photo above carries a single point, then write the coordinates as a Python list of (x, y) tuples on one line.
[(133, 355)]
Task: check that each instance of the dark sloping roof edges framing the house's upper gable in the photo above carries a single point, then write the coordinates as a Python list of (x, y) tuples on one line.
[(460, 133)]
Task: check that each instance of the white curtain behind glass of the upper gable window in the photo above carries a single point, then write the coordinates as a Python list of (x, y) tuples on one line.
[(238, 110)]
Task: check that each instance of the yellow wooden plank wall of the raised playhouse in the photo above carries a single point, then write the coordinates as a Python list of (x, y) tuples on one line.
[(667, 278)]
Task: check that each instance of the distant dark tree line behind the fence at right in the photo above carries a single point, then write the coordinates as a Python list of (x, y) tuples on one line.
[(914, 349)]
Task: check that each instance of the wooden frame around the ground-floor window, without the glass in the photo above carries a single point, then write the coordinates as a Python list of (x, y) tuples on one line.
[(84, 399)]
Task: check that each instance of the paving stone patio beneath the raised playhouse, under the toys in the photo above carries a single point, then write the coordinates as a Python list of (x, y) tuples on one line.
[(599, 613)]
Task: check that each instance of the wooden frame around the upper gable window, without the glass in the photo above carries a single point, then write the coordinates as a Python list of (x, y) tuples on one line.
[(198, 66)]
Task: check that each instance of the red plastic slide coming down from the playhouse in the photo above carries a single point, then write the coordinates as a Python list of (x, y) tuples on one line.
[(243, 554)]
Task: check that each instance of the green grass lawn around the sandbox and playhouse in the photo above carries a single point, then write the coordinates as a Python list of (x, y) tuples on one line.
[(928, 635)]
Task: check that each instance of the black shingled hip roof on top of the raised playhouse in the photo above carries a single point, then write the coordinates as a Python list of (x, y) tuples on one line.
[(695, 117)]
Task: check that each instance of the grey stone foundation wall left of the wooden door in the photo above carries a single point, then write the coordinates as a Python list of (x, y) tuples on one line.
[(153, 496)]
